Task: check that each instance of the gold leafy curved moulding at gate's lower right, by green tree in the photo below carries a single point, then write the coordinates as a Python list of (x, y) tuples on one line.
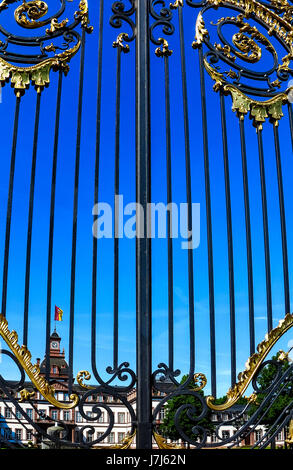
[(252, 365)]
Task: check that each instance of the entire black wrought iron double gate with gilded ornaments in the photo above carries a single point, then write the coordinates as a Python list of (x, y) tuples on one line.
[(169, 101)]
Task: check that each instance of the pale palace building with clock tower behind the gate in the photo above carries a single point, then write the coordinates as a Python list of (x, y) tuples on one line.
[(17, 429)]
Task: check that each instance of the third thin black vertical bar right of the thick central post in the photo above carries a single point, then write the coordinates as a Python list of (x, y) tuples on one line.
[(209, 226)]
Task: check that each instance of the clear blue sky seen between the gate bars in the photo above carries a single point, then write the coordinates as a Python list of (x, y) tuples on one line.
[(64, 206)]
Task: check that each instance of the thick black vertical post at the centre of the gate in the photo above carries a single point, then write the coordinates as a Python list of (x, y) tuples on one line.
[(143, 242)]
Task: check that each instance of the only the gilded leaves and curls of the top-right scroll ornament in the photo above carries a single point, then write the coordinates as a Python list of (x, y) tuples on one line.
[(247, 49)]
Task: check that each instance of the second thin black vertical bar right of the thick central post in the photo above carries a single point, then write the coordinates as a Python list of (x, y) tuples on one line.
[(188, 193)]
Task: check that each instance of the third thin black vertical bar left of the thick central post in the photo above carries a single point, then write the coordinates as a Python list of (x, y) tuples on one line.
[(75, 209)]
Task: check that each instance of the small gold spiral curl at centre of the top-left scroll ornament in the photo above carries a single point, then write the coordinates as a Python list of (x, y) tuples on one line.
[(27, 14)]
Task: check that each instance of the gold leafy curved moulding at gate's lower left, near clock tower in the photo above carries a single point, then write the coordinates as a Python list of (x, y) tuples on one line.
[(23, 356)]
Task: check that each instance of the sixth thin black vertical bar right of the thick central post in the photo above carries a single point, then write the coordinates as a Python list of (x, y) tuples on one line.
[(266, 230)]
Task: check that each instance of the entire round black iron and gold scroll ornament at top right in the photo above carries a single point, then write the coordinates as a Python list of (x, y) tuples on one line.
[(262, 98)]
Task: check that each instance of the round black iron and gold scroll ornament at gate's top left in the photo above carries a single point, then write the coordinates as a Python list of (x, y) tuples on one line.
[(58, 41)]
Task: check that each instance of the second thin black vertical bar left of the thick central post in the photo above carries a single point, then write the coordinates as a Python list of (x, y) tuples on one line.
[(96, 191)]
